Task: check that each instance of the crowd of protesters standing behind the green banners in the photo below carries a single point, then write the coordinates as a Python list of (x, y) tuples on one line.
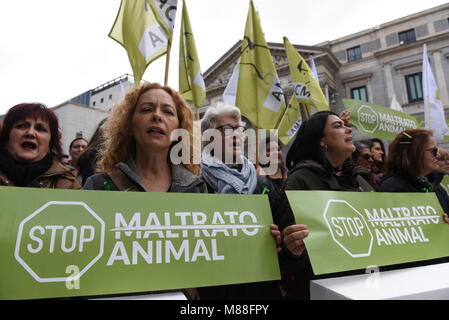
[(130, 151)]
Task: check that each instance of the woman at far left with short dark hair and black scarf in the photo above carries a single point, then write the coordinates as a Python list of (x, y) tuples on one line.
[(31, 150)]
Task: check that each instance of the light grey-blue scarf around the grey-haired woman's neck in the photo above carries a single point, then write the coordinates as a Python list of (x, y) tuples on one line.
[(225, 180)]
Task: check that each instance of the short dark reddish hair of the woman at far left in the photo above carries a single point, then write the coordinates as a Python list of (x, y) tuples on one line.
[(37, 111)]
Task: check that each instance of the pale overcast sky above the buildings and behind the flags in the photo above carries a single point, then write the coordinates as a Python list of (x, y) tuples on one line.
[(53, 50)]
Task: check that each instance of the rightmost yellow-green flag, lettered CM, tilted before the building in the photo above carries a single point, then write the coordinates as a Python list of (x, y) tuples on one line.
[(308, 98)]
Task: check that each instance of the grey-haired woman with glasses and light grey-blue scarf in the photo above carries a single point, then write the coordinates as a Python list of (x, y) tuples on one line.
[(226, 170)]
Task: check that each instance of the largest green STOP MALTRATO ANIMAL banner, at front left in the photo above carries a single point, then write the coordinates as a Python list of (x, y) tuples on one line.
[(61, 243)]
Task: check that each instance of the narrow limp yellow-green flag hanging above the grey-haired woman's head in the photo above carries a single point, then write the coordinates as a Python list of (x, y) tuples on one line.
[(191, 82)]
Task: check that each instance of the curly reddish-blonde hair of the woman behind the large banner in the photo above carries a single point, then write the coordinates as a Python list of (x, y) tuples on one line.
[(118, 141)]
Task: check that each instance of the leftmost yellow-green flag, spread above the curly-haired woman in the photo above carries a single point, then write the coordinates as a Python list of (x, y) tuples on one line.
[(138, 30)]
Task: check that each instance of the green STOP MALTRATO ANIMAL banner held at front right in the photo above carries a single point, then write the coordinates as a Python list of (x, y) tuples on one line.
[(357, 230)]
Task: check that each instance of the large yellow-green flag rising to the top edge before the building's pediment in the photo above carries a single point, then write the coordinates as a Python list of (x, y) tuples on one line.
[(259, 93)]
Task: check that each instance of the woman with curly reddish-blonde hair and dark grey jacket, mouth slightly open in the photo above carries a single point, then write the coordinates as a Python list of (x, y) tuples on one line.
[(137, 145)]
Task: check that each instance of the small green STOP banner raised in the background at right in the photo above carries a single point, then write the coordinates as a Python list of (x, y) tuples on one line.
[(378, 122)]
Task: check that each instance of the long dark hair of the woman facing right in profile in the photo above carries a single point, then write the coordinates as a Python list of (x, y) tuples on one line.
[(306, 145)]
